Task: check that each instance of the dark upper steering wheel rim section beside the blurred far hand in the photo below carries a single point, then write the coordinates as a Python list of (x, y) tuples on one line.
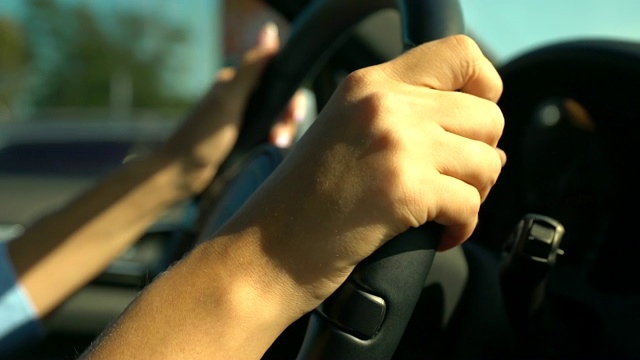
[(305, 51)]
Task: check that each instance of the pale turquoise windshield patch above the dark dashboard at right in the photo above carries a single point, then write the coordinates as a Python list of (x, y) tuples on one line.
[(507, 28)]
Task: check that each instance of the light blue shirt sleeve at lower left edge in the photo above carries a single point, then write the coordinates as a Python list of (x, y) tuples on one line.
[(19, 324)]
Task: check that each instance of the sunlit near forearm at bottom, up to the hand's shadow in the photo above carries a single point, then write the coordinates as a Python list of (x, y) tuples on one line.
[(225, 300)]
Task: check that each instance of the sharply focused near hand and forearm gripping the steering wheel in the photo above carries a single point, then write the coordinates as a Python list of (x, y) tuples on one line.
[(399, 144)]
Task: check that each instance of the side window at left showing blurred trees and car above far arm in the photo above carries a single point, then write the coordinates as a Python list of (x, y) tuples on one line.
[(88, 85)]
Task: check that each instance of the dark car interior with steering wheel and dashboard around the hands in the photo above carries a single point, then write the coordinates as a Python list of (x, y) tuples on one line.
[(548, 273)]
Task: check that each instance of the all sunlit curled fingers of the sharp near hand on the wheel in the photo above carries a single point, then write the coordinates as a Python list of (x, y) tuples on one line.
[(466, 155)]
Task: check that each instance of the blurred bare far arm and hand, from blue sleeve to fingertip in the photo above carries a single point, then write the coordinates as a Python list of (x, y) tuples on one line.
[(64, 251)]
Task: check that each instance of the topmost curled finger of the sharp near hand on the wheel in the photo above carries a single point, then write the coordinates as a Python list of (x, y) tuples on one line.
[(453, 63)]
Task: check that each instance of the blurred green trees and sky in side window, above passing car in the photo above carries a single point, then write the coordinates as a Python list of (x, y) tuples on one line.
[(105, 60)]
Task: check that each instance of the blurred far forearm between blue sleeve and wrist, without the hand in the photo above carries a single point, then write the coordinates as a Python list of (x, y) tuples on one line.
[(65, 250)]
